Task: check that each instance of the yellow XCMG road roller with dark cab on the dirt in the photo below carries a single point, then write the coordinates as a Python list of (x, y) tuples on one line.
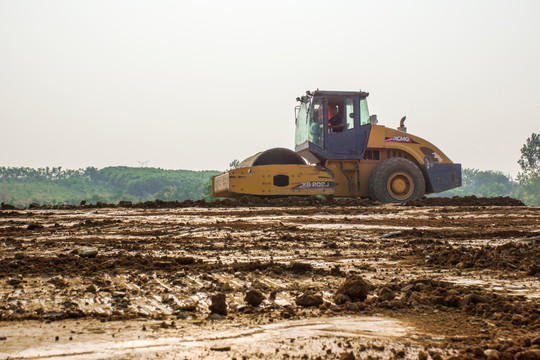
[(341, 150)]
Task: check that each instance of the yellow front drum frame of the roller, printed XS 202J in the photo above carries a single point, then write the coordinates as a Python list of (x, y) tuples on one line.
[(261, 180)]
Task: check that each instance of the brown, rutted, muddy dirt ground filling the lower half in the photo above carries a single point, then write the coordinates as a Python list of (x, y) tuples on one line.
[(274, 279)]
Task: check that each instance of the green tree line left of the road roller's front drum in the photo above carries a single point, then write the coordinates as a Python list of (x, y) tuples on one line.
[(50, 186)]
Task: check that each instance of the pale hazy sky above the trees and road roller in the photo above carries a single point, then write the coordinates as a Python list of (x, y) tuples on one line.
[(196, 84)]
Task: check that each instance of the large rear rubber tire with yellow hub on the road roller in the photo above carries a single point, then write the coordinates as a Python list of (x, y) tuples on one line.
[(396, 180)]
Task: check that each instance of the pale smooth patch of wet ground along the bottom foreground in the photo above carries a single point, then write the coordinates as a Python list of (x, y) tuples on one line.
[(309, 336)]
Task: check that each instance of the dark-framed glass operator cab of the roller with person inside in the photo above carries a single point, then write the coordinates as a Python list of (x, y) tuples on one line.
[(332, 125)]
